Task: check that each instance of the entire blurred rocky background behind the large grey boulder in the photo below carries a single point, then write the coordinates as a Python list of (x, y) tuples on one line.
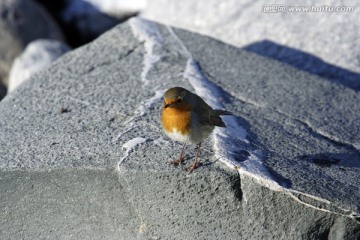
[(282, 35)]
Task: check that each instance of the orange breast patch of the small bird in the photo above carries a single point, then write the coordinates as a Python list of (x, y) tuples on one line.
[(176, 118)]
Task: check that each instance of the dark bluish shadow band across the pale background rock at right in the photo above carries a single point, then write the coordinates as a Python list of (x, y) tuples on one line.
[(306, 62)]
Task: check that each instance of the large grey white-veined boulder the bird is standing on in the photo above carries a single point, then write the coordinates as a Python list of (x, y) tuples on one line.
[(87, 130)]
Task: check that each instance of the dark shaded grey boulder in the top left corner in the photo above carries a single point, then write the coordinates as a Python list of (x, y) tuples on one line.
[(22, 21)]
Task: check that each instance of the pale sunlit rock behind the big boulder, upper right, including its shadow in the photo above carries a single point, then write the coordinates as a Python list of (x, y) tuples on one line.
[(321, 41)]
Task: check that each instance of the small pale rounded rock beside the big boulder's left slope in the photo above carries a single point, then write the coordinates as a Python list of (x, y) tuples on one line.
[(37, 56)]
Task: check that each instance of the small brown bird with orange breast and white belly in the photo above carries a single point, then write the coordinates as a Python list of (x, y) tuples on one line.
[(188, 119)]
